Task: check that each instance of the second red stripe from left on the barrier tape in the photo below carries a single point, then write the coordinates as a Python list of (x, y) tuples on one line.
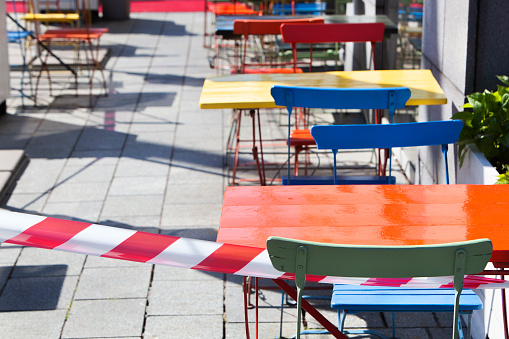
[(141, 247)]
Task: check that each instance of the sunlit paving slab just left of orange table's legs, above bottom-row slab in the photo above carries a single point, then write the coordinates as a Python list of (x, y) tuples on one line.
[(189, 298)]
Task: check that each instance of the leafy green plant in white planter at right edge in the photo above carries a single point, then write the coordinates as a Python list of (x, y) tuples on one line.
[(487, 126)]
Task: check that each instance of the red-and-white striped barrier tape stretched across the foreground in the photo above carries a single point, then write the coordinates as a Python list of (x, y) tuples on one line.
[(111, 242)]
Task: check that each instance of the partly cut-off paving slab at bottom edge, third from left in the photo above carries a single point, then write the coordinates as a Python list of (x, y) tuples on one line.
[(162, 327)]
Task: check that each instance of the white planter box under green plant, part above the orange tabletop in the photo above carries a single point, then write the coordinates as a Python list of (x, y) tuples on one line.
[(476, 169)]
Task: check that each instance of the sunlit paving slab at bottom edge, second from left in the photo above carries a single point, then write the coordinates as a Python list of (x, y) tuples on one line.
[(110, 318)]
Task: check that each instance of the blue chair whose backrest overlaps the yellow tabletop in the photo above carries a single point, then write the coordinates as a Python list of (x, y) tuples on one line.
[(337, 98)]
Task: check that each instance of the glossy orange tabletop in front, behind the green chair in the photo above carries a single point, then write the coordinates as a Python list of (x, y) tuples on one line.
[(368, 214)]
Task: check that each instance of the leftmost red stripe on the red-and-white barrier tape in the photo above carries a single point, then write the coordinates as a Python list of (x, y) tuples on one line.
[(49, 233)]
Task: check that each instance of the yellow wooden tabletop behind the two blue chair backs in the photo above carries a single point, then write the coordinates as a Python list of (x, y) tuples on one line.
[(244, 91)]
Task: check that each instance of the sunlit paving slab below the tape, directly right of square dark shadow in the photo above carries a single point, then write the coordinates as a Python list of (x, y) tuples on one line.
[(118, 282)]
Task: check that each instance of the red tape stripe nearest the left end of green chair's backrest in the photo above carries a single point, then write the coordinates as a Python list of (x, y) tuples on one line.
[(228, 258)]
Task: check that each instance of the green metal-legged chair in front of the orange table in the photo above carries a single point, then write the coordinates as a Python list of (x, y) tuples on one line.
[(452, 259)]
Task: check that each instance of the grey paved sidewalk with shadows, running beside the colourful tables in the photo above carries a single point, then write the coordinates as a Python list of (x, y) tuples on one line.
[(145, 158)]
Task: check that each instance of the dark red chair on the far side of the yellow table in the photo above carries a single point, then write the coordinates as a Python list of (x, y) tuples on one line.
[(294, 34)]
